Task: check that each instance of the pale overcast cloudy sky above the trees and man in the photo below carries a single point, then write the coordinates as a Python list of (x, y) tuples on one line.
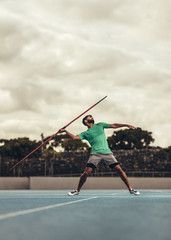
[(59, 57)]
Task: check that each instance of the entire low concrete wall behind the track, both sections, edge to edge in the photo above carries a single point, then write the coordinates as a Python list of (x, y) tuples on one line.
[(57, 183)]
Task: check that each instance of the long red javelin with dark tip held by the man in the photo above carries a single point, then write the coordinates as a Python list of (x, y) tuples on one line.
[(55, 134)]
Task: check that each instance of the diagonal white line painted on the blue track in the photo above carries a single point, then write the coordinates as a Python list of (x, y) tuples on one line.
[(19, 213)]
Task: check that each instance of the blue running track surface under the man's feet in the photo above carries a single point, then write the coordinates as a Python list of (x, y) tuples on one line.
[(102, 214)]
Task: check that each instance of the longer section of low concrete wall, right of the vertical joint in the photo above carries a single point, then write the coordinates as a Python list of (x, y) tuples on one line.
[(98, 183)]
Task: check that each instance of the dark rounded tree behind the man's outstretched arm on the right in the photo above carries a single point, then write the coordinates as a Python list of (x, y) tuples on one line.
[(130, 139)]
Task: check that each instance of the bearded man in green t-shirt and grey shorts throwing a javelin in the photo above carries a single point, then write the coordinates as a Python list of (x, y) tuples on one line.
[(99, 151)]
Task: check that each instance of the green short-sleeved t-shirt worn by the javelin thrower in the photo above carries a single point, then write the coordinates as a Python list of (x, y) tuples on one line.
[(97, 138)]
